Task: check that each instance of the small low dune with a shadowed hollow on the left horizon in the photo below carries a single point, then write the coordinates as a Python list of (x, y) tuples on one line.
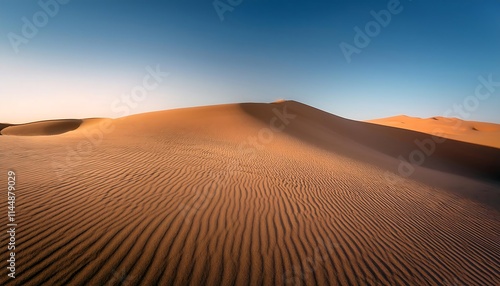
[(42, 128)]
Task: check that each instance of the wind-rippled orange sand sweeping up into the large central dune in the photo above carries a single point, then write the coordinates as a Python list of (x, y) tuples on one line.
[(215, 196)]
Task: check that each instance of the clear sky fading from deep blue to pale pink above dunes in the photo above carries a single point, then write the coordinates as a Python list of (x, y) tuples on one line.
[(85, 55)]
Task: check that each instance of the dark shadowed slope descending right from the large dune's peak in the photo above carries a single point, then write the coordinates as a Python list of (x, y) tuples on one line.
[(337, 134)]
